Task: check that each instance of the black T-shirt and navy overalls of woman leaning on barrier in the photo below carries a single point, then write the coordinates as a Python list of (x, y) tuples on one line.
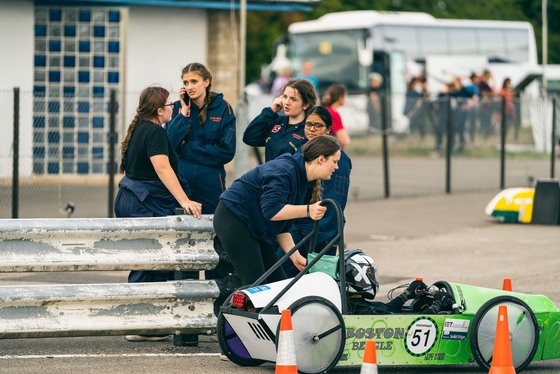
[(141, 192)]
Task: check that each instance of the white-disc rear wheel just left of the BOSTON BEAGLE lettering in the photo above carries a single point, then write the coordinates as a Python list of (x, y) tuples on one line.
[(319, 334)]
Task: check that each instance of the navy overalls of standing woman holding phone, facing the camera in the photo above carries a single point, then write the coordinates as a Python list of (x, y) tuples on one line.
[(204, 150)]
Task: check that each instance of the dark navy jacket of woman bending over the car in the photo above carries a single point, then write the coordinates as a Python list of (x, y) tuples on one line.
[(261, 193)]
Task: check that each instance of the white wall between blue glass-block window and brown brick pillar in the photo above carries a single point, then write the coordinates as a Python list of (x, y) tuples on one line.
[(159, 43)]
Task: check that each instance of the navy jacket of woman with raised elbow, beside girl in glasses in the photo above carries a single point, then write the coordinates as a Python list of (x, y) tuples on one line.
[(273, 132)]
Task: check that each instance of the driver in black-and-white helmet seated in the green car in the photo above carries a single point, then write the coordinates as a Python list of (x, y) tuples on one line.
[(362, 286)]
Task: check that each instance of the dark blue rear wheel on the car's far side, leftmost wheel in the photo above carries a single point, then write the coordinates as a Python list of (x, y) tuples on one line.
[(231, 345)]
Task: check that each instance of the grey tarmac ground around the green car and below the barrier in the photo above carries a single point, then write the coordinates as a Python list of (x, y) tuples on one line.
[(440, 237)]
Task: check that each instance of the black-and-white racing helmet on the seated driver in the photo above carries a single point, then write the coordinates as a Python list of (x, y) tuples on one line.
[(361, 274)]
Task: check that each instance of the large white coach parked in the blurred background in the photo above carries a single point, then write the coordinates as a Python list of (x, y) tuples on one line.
[(346, 47)]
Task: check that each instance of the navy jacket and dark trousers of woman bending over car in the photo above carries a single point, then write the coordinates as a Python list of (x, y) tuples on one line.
[(242, 218)]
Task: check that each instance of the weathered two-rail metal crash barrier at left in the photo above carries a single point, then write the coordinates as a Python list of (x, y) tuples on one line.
[(178, 243)]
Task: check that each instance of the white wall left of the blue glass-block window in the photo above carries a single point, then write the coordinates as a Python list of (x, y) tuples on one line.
[(16, 70)]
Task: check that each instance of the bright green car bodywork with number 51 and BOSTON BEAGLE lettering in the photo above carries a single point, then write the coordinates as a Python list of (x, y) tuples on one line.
[(414, 339)]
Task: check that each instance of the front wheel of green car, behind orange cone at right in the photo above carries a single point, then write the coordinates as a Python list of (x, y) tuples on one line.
[(523, 332)]
